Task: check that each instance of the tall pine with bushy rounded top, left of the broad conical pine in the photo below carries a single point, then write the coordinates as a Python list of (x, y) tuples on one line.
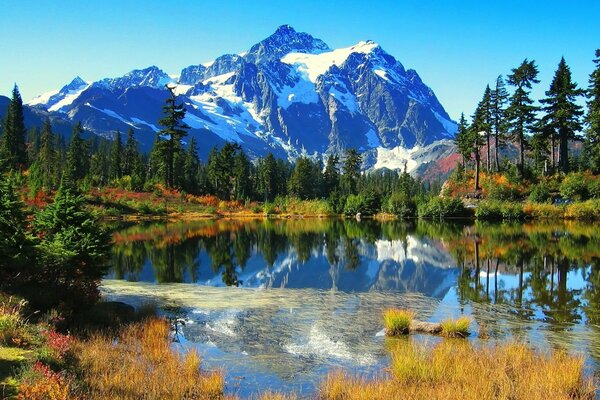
[(521, 111)]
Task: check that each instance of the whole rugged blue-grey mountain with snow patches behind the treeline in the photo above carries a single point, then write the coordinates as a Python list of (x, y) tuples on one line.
[(289, 94)]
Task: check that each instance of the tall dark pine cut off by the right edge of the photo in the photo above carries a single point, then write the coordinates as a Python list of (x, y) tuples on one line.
[(593, 117)]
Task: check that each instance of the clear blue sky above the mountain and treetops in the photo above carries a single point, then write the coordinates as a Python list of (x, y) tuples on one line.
[(456, 46)]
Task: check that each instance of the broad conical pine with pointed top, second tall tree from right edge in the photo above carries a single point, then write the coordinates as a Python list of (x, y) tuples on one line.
[(563, 114)]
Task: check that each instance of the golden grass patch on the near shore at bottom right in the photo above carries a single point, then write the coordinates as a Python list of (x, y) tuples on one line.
[(454, 370)]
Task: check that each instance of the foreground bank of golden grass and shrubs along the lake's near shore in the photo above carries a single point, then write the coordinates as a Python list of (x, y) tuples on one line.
[(137, 361)]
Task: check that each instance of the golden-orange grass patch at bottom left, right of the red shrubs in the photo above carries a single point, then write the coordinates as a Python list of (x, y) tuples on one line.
[(140, 364)]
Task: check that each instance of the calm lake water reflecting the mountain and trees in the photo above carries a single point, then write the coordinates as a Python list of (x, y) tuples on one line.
[(277, 304)]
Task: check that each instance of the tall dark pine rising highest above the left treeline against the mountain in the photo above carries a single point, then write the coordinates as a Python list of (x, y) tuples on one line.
[(174, 130)]
